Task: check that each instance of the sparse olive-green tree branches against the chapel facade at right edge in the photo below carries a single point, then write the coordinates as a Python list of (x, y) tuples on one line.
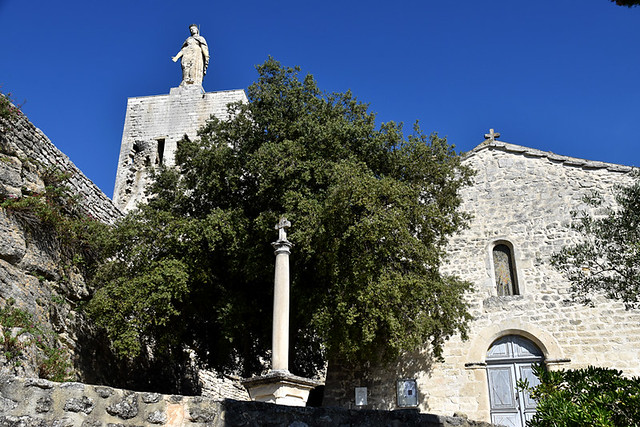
[(607, 260)]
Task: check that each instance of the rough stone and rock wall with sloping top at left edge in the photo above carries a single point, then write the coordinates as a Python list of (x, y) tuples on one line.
[(34, 275)]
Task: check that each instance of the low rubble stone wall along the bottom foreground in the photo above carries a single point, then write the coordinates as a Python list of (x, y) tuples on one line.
[(36, 402)]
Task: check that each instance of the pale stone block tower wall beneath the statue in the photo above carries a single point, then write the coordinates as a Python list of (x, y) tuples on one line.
[(152, 129)]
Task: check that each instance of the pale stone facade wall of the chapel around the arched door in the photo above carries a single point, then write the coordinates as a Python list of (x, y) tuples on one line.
[(524, 197)]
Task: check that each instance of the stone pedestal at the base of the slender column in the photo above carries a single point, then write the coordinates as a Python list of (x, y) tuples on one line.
[(281, 388)]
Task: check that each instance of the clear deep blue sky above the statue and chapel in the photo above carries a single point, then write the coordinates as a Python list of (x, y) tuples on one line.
[(556, 75)]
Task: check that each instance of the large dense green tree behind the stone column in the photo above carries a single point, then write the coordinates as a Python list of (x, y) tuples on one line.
[(371, 211)]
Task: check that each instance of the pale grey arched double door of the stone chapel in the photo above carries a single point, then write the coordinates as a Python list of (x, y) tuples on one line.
[(509, 359)]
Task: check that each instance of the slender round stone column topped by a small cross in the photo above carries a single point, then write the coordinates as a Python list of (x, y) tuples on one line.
[(280, 337)]
